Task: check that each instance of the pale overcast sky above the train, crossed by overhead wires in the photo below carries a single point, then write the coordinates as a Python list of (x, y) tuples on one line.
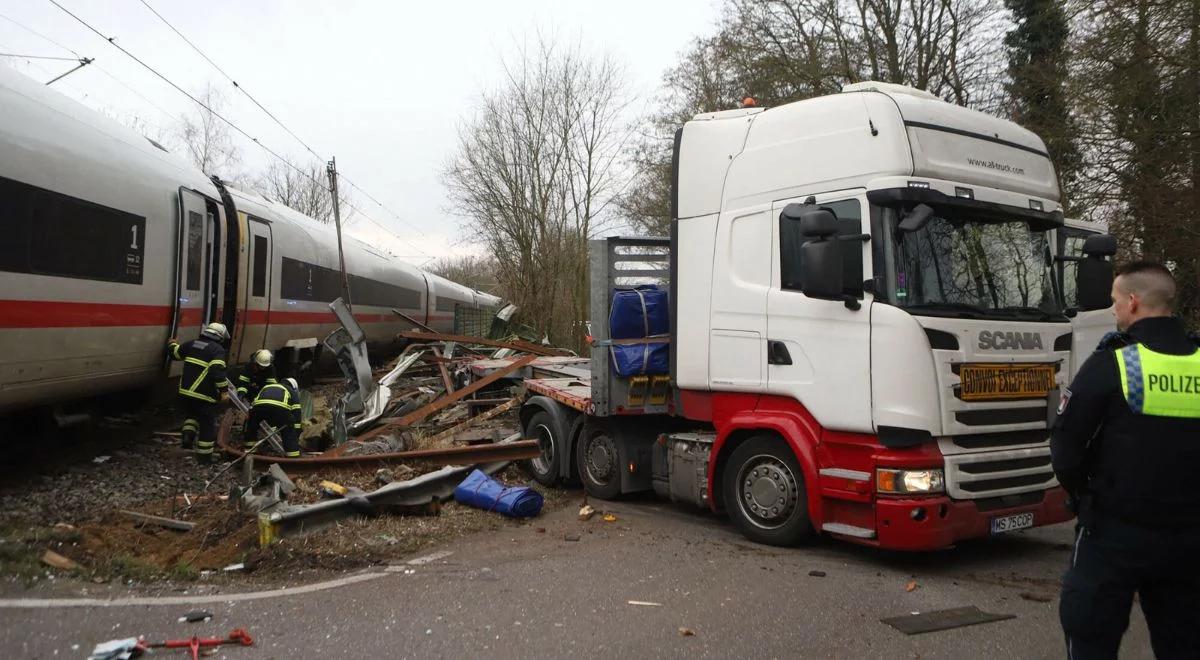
[(380, 85)]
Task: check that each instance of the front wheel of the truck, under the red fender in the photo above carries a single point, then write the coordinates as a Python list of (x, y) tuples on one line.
[(765, 495)]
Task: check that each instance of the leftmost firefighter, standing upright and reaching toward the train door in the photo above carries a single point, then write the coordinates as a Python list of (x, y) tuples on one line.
[(202, 387)]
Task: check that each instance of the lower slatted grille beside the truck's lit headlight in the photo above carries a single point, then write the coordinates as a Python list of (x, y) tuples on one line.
[(991, 475)]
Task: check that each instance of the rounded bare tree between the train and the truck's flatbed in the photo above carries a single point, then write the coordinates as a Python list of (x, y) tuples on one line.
[(536, 175)]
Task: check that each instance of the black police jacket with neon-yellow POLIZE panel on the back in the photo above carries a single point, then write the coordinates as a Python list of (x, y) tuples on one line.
[(1127, 439)]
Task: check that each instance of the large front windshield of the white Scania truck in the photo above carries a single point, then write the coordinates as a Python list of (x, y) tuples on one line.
[(971, 268)]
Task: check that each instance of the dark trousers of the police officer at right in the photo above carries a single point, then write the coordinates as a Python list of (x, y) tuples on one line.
[(1111, 563)]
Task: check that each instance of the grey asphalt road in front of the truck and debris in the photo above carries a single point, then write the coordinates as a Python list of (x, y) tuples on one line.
[(533, 593)]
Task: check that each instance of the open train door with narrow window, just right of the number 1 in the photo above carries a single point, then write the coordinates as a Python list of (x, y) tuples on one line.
[(194, 285)]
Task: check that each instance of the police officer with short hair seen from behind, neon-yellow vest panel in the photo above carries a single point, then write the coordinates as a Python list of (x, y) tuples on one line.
[(1126, 447)]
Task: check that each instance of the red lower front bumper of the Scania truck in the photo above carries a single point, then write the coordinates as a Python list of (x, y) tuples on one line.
[(897, 529)]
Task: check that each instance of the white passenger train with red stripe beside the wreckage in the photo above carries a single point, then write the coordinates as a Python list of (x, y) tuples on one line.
[(111, 245)]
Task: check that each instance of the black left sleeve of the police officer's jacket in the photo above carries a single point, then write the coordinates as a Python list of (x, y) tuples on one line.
[(1082, 411)]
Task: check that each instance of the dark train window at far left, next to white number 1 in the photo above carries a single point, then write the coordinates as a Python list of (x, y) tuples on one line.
[(49, 233)]
